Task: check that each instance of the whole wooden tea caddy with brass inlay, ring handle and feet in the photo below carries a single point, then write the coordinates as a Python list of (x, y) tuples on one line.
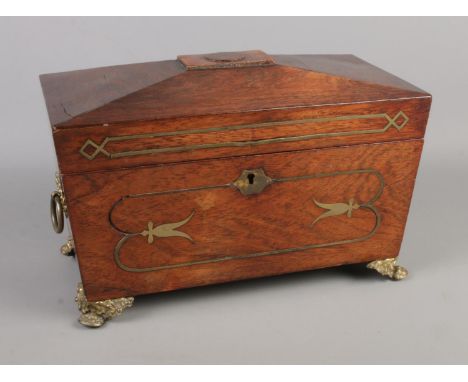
[(228, 166)]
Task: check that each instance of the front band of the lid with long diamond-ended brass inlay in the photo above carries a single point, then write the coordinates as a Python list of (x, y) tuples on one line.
[(187, 139)]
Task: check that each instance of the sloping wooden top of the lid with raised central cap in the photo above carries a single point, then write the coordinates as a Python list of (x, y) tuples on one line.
[(219, 83)]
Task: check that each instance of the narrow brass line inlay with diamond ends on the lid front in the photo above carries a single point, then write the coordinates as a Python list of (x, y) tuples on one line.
[(100, 148)]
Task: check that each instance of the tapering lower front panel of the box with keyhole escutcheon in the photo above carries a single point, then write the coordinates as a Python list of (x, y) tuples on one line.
[(152, 229)]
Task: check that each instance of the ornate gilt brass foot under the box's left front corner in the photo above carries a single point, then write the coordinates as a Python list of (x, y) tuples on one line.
[(95, 314)]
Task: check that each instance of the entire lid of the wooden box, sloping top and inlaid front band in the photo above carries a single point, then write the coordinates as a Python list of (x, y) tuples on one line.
[(224, 104)]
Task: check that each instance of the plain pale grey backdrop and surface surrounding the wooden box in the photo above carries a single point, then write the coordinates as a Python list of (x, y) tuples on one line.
[(345, 315)]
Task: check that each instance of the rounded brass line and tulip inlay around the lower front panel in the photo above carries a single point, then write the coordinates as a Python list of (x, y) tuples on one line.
[(333, 210)]
